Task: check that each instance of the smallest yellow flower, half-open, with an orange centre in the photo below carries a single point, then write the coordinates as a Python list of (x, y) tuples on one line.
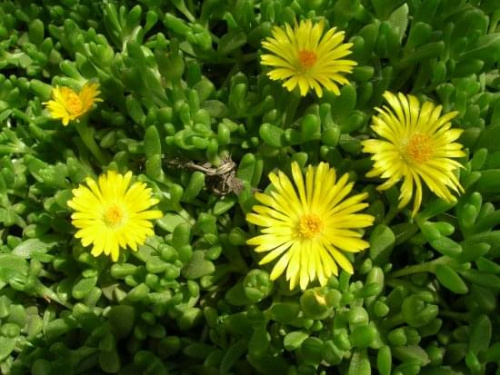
[(67, 105)]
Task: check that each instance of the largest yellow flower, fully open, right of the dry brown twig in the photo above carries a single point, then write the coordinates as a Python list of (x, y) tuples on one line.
[(309, 225)]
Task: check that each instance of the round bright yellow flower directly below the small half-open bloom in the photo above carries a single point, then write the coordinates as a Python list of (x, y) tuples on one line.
[(110, 215)]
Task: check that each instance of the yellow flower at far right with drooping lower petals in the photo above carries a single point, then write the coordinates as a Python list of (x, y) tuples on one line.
[(418, 145)]
